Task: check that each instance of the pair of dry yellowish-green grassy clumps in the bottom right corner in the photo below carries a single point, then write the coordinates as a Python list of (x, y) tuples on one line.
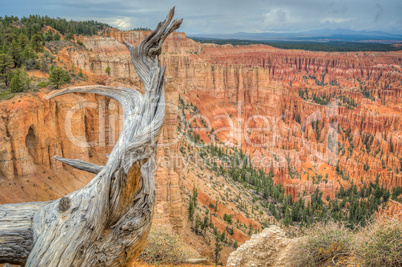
[(379, 244)]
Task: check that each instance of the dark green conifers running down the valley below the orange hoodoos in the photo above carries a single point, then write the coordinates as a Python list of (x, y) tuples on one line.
[(362, 202)]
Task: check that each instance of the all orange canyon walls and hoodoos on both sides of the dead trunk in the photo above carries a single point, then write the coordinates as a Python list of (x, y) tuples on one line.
[(311, 131)]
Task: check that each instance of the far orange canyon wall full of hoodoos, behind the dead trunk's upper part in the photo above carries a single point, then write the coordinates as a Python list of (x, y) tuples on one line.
[(328, 116)]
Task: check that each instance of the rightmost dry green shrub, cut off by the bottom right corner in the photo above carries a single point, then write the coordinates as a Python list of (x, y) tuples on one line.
[(380, 244)]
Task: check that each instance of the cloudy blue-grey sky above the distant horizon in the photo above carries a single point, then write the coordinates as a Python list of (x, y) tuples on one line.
[(224, 16)]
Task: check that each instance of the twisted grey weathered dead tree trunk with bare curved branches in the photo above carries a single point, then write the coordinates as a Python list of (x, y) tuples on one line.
[(107, 222)]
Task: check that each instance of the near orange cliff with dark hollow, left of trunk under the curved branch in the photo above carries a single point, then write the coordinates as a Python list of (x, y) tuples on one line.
[(32, 131)]
